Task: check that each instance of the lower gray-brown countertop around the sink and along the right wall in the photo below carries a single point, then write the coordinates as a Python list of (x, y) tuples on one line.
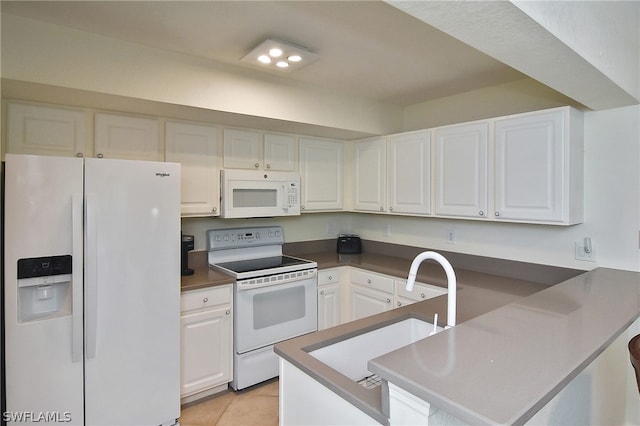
[(478, 293)]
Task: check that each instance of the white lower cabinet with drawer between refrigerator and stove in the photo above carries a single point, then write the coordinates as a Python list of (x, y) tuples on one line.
[(206, 322)]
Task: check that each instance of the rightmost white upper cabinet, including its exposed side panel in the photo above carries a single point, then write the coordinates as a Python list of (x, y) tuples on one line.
[(539, 167)]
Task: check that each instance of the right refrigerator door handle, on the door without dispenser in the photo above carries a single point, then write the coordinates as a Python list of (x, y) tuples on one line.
[(91, 276)]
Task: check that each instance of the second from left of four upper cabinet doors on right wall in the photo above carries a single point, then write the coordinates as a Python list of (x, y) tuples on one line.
[(409, 156)]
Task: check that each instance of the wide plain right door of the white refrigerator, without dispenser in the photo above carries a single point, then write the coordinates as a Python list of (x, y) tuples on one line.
[(132, 292)]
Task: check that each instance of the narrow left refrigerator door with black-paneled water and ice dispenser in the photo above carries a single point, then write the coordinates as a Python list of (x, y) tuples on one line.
[(43, 314)]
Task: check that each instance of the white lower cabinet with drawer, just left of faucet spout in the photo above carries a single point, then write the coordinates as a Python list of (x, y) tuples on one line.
[(369, 294)]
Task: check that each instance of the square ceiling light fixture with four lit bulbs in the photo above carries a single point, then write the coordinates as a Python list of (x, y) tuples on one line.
[(281, 55)]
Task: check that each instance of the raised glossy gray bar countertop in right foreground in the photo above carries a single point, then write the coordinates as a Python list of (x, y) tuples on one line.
[(525, 351)]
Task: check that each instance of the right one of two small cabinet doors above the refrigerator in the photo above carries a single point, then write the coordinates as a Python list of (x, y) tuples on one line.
[(127, 138)]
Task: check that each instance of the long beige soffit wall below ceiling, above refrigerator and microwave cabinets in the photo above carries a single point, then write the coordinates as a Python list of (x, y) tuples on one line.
[(52, 55)]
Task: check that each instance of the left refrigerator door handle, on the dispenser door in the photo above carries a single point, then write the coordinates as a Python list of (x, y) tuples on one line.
[(76, 277)]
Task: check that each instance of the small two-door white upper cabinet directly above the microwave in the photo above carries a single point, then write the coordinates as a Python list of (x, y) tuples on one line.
[(247, 149)]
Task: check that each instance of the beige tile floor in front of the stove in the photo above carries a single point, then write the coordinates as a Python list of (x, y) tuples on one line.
[(256, 406)]
